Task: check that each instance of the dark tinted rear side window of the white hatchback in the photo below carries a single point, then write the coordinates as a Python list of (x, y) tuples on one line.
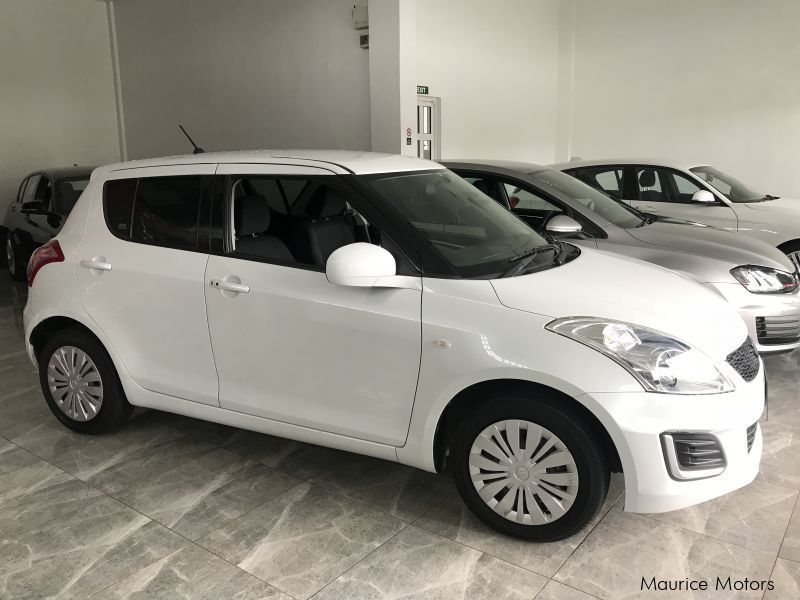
[(161, 211)]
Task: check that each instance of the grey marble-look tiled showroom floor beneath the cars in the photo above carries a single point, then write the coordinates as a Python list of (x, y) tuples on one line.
[(170, 507)]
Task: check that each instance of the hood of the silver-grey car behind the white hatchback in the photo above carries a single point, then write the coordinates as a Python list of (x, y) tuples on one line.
[(695, 238)]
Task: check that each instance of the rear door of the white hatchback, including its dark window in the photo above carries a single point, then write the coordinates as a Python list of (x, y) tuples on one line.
[(141, 276)]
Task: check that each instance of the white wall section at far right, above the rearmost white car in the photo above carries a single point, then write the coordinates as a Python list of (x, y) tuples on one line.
[(714, 81)]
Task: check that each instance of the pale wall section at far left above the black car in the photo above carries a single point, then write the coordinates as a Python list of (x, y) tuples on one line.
[(56, 88)]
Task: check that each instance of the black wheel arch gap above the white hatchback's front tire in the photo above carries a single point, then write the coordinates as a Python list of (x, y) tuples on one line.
[(479, 393)]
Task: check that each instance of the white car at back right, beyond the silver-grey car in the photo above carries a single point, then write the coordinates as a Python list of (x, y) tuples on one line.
[(696, 192)]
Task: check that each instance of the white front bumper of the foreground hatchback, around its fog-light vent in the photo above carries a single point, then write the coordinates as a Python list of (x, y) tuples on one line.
[(640, 419)]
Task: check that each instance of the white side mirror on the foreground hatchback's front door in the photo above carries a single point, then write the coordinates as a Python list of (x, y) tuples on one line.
[(361, 265)]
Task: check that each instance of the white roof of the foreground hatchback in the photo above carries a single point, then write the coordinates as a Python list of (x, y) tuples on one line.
[(341, 161)]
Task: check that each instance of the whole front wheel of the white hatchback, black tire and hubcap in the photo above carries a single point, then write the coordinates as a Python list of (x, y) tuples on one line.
[(585, 478)]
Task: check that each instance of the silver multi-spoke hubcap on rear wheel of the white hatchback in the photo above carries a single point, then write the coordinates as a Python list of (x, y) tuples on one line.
[(75, 383)]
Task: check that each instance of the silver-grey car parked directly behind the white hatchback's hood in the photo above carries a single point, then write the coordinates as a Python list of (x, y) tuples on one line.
[(754, 277)]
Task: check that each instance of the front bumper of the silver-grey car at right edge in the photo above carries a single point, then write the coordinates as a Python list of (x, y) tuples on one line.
[(773, 320)]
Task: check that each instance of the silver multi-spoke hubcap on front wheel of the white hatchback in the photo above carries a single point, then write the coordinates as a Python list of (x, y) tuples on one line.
[(523, 472)]
